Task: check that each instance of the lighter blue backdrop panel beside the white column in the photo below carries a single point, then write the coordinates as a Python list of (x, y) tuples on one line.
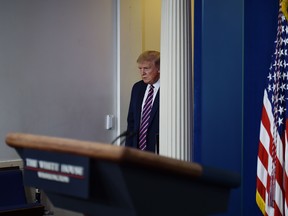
[(218, 83)]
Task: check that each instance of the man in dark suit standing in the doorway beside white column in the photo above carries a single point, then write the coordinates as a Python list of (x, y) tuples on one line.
[(143, 114)]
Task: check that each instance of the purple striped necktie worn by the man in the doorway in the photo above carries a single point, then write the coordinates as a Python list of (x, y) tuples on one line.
[(145, 119)]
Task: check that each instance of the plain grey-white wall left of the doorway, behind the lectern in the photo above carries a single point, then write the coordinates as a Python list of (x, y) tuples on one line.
[(57, 68)]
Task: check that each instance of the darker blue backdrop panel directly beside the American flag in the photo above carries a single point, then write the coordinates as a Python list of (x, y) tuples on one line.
[(260, 34)]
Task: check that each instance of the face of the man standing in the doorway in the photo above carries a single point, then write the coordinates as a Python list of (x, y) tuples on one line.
[(149, 72)]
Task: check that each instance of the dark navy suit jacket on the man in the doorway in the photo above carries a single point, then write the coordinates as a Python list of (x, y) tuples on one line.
[(134, 118)]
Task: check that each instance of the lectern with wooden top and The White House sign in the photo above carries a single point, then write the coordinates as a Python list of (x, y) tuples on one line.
[(102, 179)]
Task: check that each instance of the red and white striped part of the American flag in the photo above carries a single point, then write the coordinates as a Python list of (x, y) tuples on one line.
[(264, 166)]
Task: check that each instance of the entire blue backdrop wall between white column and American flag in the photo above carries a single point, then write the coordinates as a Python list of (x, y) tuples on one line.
[(233, 47)]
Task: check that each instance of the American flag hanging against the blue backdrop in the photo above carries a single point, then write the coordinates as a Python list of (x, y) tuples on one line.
[(272, 164)]
